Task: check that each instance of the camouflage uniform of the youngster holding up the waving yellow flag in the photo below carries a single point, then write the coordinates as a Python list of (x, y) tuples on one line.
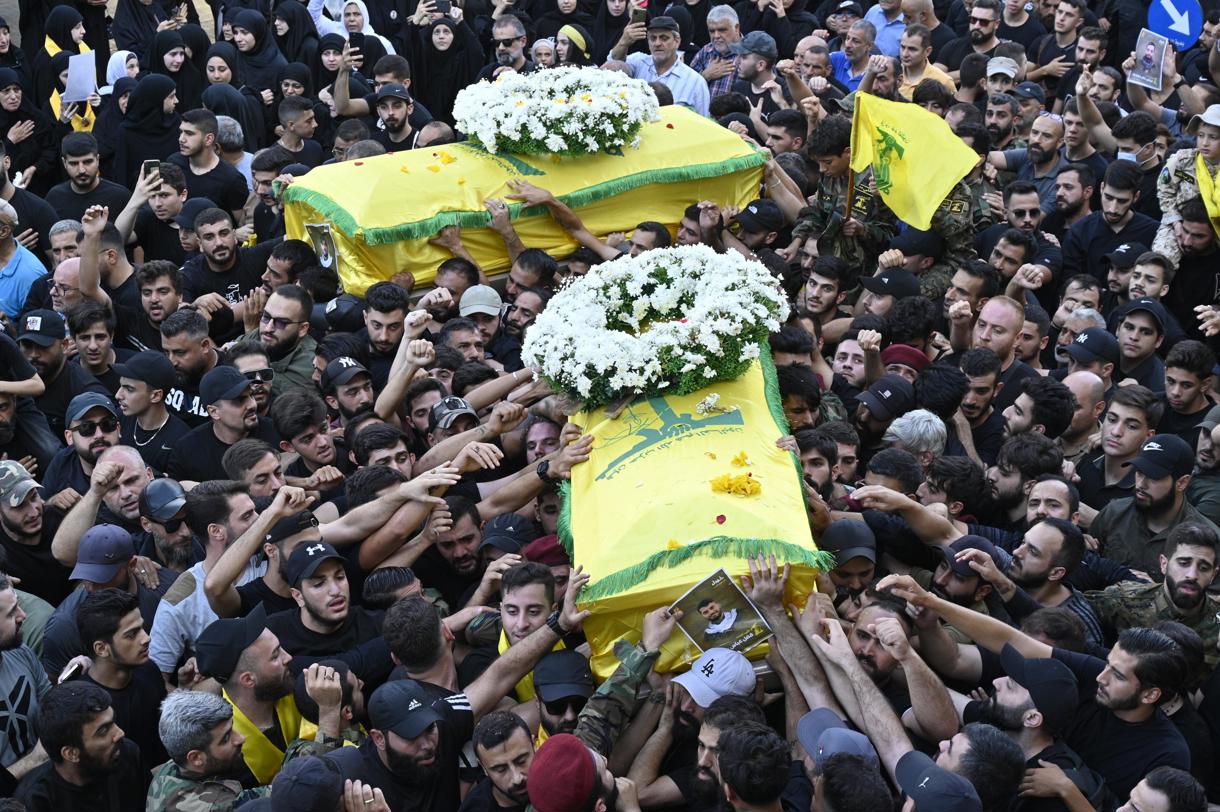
[(824, 220)]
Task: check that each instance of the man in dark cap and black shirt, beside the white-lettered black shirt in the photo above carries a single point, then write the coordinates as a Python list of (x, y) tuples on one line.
[(235, 416)]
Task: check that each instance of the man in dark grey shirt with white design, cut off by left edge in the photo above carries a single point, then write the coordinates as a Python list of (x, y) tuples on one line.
[(24, 678)]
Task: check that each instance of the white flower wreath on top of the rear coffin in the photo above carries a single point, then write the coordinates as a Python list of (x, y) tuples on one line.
[(565, 112)]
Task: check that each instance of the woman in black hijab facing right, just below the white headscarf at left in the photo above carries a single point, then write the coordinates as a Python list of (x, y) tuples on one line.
[(149, 130)]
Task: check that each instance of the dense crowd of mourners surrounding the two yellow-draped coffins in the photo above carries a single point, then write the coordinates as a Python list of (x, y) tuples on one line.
[(270, 546)]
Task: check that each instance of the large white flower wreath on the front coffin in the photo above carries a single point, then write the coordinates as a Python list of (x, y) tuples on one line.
[(672, 320)]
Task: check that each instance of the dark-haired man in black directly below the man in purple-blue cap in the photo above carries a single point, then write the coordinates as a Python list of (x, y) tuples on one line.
[(113, 632)]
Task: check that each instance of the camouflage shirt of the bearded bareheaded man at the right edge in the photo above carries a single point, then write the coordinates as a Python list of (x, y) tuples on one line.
[(1129, 605)]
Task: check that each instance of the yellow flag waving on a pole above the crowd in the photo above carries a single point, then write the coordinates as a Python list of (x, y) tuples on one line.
[(916, 158)]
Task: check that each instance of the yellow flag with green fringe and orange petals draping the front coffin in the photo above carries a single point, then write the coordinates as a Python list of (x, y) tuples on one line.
[(662, 504)]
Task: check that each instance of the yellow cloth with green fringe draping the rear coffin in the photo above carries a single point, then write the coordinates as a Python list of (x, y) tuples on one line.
[(382, 212)]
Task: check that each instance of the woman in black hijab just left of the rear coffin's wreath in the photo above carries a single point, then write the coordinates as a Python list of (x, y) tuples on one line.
[(447, 57)]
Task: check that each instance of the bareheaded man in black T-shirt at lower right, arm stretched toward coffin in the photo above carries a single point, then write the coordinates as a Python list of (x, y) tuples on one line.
[(1117, 726)]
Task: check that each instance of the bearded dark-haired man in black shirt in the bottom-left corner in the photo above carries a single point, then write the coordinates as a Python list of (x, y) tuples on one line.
[(93, 766)]
